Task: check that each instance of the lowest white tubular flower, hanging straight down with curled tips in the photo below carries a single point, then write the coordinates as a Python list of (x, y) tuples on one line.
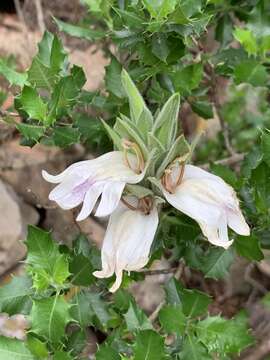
[(127, 242)]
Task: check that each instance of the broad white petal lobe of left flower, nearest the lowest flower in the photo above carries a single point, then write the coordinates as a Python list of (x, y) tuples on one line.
[(111, 196)]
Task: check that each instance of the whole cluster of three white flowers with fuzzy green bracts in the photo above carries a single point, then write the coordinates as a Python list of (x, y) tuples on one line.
[(149, 153)]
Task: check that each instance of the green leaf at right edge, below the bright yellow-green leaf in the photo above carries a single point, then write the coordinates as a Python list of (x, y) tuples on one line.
[(251, 72)]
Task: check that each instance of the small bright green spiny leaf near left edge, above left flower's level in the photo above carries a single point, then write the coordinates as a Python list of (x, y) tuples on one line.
[(33, 105)]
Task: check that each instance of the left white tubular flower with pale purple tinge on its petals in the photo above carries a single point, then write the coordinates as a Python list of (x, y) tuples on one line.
[(84, 181)]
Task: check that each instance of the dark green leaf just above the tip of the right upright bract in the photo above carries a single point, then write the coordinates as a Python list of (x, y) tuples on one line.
[(187, 78)]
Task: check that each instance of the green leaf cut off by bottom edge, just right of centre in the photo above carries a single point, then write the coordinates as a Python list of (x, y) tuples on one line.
[(149, 345)]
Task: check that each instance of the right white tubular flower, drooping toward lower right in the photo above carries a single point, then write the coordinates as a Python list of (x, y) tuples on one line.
[(211, 202)]
